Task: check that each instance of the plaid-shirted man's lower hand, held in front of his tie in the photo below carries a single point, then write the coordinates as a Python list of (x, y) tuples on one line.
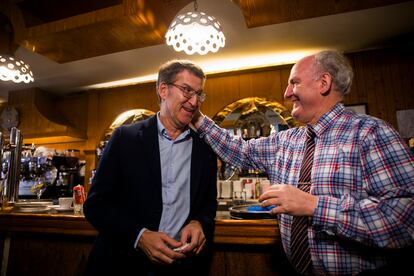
[(289, 200)]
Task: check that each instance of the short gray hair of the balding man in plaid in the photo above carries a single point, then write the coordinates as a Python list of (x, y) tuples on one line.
[(337, 65)]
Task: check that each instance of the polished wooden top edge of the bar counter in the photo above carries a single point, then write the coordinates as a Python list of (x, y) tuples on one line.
[(227, 231)]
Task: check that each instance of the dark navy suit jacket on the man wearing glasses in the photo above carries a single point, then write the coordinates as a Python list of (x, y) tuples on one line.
[(125, 194)]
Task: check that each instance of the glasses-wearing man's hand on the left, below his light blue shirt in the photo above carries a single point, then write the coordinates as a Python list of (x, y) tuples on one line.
[(158, 247)]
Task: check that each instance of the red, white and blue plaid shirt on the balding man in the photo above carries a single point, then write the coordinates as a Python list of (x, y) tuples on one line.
[(363, 174)]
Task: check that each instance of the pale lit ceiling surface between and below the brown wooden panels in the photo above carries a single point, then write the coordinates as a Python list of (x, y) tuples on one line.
[(348, 32)]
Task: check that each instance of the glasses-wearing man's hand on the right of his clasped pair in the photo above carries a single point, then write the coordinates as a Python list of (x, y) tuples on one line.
[(193, 234)]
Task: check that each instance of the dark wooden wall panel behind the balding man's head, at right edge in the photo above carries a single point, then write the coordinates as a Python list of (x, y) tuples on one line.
[(384, 80)]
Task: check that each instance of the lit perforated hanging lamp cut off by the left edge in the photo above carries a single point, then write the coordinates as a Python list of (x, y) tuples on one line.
[(14, 70)]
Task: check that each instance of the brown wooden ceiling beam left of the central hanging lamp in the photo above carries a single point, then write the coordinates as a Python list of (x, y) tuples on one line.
[(129, 25)]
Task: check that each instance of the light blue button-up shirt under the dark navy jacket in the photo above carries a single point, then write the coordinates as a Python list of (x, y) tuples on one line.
[(175, 177)]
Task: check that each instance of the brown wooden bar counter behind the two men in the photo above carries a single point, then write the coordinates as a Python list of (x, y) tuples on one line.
[(58, 244)]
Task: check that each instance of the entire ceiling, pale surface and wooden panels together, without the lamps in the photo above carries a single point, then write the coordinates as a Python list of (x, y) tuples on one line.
[(74, 44)]
